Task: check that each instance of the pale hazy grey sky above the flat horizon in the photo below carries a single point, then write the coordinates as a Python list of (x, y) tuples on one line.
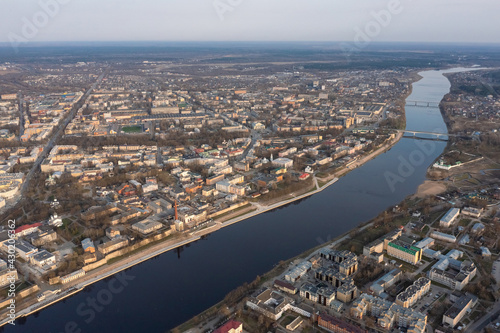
[(244, 20)]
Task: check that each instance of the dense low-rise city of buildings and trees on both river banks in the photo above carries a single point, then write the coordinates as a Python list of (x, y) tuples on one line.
[(104, 164)]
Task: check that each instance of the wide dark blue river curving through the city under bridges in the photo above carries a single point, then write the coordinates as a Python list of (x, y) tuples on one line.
[(175, 286)]
